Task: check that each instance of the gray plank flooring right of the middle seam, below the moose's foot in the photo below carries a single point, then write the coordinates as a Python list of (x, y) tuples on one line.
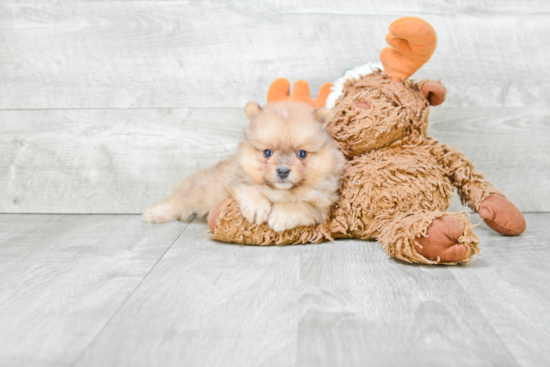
[(358, 308)]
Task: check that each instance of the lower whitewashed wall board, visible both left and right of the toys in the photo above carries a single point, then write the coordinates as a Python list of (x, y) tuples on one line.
[(123, 161)]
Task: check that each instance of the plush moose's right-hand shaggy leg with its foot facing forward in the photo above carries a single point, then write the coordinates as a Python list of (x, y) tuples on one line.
[(430, 238)]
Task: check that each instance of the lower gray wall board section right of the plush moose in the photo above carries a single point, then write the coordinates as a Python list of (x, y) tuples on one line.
[(510, 146)]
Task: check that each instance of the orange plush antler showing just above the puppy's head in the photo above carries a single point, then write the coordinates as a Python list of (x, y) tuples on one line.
[(280, 91)]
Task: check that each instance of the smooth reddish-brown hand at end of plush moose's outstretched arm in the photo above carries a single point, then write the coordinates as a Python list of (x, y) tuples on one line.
[(502, 216)]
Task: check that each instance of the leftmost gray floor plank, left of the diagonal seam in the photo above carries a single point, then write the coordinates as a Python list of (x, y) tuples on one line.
[(63, 277)]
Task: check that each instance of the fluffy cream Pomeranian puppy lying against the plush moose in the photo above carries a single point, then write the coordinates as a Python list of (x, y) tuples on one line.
[(287, 172)]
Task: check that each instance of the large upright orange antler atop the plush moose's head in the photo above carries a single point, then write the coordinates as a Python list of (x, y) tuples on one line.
[(413, 41)]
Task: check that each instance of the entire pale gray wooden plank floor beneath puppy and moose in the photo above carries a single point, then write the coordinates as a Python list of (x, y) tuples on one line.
[(110, 290)]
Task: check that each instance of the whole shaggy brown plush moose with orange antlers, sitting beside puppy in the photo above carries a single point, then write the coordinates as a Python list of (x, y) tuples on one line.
[(398, 180)]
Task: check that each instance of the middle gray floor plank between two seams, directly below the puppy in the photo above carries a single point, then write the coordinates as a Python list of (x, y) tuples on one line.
[(208, 304)]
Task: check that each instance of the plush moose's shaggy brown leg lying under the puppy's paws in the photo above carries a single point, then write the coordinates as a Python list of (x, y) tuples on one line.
[(228, 225)]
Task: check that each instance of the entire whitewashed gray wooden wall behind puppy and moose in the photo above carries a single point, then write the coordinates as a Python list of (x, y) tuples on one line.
[(105, 106)]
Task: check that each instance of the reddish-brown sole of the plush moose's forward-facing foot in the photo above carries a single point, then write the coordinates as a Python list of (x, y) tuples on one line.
[(441, 243)]
